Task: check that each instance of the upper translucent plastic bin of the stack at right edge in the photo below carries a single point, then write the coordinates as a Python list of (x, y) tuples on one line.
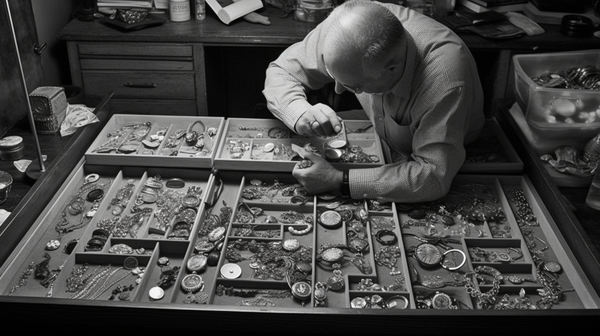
[(557, 112)]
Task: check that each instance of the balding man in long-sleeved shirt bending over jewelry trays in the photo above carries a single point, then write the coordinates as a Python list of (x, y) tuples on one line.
[(415, 79)]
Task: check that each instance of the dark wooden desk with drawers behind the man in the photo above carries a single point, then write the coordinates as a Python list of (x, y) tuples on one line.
[(227, 62)]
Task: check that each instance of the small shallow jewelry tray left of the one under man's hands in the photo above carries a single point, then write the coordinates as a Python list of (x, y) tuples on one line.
[(157, 141)]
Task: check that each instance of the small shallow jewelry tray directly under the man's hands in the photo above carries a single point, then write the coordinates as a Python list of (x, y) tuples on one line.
[(268, 145)]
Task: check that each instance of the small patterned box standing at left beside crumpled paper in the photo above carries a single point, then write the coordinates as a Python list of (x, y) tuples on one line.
[(49, 108)]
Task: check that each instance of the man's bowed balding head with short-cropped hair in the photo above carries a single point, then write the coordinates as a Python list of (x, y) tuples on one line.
[(365, 32)]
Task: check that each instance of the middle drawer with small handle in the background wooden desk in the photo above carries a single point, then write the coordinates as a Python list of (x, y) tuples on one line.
[(155, 85)]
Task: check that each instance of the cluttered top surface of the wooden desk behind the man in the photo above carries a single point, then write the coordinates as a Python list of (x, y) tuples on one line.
[(287, 30)]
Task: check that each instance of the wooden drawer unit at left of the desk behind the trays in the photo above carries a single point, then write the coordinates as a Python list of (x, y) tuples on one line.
[(146, 78)]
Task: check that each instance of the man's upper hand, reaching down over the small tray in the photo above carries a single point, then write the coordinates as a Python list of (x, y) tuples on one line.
[(319, 120)]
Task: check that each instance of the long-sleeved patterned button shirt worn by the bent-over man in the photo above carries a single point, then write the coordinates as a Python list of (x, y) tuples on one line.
[(426, 119)]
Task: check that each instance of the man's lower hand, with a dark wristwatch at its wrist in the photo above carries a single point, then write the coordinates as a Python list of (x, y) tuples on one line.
[(317, 175)]
